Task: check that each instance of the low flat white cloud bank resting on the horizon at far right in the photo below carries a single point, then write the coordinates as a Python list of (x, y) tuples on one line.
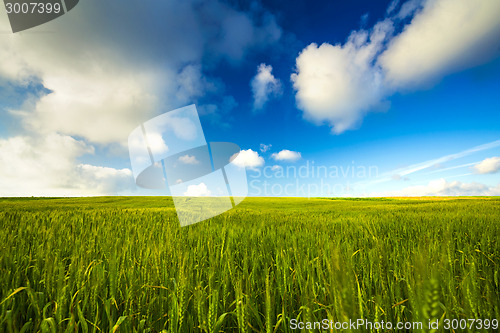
[(441, 187)]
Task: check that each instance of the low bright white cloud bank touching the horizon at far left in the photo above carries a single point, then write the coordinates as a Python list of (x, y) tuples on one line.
[(47, 166)]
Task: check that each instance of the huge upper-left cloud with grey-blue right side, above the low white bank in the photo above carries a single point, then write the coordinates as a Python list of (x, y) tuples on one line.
[(104, 75)]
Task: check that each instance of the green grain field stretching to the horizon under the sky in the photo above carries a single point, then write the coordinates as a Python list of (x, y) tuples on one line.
[(124, 264)]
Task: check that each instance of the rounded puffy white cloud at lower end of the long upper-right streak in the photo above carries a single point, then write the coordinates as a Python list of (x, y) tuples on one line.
[(338, 84)]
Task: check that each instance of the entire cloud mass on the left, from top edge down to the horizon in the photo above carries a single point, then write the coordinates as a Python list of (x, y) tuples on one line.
[(99, 76)]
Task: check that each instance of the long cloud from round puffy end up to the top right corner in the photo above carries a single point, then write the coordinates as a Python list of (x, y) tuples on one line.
[(339, 84)]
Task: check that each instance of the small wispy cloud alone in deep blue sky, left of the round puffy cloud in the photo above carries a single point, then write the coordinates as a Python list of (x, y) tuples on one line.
[(264, 86)]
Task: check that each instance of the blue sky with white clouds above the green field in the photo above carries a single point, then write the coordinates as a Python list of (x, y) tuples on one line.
[(324, 98)]
